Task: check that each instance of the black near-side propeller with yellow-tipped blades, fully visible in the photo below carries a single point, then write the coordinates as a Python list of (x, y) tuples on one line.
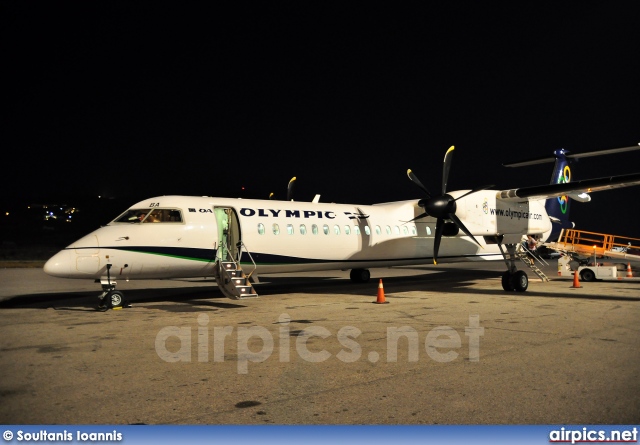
[(442, 207)]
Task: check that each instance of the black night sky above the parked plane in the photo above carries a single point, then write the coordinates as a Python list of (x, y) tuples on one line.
[(134, 101)]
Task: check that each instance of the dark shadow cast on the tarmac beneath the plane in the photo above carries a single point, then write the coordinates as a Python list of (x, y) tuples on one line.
[(192, 299)]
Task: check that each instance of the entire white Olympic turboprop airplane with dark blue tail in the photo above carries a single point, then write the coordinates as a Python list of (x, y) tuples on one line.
[(235, 240)]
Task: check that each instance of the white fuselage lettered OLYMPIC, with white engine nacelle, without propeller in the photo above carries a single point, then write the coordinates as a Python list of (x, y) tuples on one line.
[(291, 236)]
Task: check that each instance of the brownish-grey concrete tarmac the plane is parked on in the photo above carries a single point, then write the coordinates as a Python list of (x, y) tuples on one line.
[(449, 347)]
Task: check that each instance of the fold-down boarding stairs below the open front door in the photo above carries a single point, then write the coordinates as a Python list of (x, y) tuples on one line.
[(231, 279)]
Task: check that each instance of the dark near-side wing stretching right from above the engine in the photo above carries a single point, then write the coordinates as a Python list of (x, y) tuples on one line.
[(570, 188)]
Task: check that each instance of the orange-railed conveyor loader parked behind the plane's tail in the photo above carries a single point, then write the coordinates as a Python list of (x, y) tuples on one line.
[(585, 244)]
